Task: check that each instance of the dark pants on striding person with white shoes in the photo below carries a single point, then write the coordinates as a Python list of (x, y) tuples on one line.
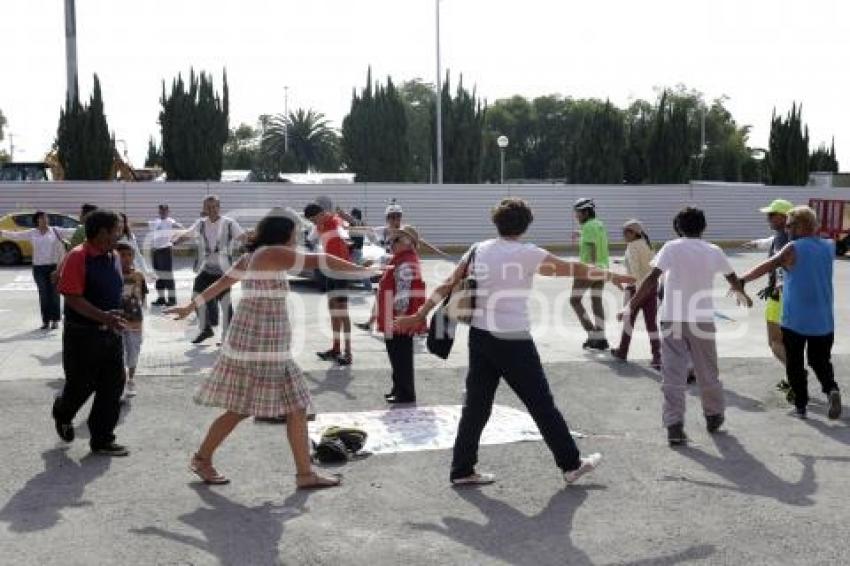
[(517, 360)]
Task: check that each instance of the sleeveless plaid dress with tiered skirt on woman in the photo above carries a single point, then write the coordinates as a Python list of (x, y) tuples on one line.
[(255, 373)]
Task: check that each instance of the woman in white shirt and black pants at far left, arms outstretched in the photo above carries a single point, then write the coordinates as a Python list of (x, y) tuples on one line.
[(48, 250)]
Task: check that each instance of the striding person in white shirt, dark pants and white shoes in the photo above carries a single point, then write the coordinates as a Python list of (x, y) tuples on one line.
[(500, 342)]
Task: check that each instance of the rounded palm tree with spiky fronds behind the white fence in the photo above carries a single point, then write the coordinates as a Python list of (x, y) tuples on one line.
[(312, 143)]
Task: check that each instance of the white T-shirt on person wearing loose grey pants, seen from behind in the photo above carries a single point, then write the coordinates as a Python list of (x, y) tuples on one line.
[(690, 266)]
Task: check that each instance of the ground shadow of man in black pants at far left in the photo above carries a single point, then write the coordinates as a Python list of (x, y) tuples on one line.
[(38, 505)]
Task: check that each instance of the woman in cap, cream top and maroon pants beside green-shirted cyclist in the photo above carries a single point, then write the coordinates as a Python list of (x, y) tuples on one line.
[(638, 256)]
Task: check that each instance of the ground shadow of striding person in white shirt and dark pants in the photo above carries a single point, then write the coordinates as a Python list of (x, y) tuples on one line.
[(543, 539)]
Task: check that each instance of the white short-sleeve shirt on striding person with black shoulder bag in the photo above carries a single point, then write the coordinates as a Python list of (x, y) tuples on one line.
[(504, 271)]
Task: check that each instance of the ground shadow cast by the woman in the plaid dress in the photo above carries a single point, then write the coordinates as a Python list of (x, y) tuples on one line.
[(233, 533)]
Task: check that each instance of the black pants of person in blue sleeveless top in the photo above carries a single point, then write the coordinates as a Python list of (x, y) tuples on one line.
[(818, 349)]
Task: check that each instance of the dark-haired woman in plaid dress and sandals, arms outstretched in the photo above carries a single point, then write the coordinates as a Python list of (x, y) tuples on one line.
[(255, 374)]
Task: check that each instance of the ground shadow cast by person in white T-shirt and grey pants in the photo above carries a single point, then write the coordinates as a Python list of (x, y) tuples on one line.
[(749, 476)]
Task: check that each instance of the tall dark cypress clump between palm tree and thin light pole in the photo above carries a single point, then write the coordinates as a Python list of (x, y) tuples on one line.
[(374, 134)]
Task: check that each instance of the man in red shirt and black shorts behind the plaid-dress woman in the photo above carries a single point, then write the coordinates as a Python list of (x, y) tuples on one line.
[(331, 229)]
